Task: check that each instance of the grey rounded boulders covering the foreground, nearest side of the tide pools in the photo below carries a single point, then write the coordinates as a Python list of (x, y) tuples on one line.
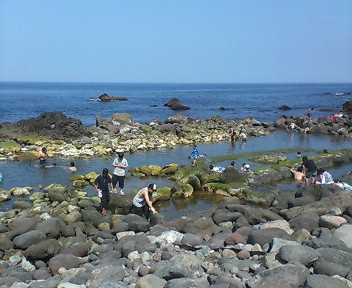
[(59, 239)]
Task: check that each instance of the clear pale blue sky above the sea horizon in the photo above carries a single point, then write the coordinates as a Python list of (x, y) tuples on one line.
[(235, 41)]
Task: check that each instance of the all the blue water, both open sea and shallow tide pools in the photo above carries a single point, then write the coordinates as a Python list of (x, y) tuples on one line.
[(261, 101)]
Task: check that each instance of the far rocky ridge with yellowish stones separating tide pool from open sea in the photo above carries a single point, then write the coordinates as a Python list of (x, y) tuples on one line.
[(66, 137)]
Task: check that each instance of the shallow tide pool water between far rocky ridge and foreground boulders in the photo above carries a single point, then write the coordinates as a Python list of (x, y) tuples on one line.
[(22, 174)]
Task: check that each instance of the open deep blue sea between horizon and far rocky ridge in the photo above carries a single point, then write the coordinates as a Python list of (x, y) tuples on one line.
[(20, 100)]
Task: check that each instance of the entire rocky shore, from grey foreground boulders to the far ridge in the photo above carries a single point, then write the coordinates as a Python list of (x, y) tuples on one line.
[(59, 239)]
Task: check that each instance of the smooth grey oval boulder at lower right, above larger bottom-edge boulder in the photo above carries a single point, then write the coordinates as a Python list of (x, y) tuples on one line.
[(303, 254)]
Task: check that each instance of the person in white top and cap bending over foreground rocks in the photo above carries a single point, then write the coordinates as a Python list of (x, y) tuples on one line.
[(142, 202)]
